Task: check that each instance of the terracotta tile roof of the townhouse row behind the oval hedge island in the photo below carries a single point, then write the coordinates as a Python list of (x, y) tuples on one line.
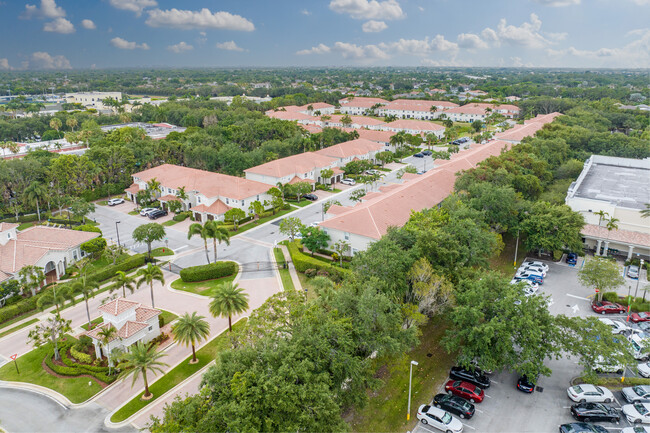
[(205, 182)]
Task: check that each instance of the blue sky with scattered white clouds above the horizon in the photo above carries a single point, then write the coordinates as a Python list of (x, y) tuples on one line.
[(82, 34)]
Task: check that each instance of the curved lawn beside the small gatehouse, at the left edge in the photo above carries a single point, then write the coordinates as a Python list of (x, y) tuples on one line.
[(76, 389)]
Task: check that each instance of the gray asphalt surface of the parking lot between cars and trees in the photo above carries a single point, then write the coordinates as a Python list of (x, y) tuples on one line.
[(505, 408)]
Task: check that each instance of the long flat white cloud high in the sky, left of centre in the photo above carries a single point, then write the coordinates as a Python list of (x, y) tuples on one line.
[(203, 19)]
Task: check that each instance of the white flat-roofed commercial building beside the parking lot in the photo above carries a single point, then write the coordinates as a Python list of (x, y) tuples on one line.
[(616, 189)]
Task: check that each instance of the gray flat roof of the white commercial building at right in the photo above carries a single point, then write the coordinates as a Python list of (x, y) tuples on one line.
[(625, 186)]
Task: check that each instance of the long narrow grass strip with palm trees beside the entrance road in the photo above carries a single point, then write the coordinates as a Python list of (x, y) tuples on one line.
[(205, 355)]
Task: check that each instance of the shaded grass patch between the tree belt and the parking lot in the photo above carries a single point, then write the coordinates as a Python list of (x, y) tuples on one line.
[(386, 409)]
